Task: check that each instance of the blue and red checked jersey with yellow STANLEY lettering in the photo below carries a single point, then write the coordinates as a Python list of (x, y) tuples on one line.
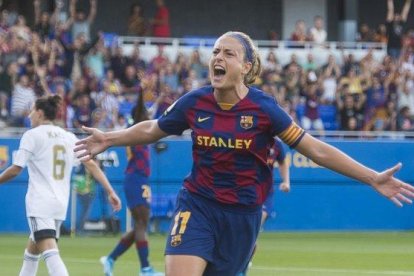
[(230, 147)]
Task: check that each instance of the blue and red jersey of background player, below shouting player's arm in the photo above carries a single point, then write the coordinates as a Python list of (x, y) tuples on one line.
[(138, 160)]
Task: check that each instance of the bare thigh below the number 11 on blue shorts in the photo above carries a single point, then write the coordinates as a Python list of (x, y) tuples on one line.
[(184, 265)]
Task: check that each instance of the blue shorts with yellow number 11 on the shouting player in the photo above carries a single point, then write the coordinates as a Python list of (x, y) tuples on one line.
[(222, 234)]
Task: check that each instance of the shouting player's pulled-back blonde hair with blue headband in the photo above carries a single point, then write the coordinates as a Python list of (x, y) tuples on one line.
[(251, 54)]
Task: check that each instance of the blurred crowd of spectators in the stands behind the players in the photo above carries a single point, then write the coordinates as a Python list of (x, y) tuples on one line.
[(100, 84)]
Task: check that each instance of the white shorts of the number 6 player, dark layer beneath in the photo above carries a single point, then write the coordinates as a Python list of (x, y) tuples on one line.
[(44, 228)]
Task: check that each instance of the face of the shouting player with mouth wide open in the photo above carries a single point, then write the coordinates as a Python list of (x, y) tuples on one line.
[(227, 65)]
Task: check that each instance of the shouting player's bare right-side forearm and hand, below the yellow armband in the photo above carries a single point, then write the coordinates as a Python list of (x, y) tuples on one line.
[(332, 158)]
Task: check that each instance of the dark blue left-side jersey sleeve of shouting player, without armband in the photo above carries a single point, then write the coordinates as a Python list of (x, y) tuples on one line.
[(174, 120)]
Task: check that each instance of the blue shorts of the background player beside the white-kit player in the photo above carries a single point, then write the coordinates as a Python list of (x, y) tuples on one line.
[(137, 191)]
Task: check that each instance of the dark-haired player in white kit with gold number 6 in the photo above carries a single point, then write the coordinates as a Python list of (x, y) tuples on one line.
[(47, 150)]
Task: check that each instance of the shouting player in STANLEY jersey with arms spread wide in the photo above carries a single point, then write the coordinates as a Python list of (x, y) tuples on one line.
[(218, 211)]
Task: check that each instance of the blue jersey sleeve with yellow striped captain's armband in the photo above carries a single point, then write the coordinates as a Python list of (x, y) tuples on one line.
[(282, 124)]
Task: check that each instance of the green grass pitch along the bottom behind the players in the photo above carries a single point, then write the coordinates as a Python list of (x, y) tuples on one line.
[(281, 254)]
